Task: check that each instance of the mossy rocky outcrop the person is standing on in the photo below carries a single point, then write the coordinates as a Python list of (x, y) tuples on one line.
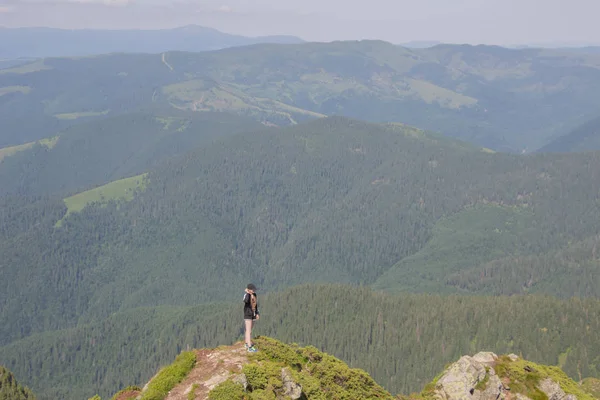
[(278, 371)]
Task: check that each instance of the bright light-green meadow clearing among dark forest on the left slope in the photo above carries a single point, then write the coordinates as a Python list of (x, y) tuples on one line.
[(123, 189)]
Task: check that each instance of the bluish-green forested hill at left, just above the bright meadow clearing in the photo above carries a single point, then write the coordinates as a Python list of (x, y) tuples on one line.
[(100, 151)]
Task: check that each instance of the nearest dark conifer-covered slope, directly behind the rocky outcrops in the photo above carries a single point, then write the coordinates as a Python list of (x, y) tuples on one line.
[(401, 340)]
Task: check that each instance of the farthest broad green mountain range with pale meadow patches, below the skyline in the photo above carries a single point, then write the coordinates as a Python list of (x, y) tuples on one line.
[(505, 99)]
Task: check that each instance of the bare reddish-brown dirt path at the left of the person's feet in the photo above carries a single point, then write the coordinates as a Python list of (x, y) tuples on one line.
[(212, 367)]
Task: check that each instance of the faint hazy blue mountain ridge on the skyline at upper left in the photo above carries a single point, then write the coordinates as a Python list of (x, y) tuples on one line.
[(53, 42)]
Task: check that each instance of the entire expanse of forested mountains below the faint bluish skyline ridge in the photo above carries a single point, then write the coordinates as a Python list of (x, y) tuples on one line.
[(132, 217)]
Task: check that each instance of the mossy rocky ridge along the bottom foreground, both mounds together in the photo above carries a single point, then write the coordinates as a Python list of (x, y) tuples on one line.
[(282, 371)]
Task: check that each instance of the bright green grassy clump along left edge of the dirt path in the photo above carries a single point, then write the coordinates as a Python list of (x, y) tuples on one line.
[(168, 377)]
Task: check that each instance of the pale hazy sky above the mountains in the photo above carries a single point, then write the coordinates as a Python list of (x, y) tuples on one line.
[(464, 21)]
